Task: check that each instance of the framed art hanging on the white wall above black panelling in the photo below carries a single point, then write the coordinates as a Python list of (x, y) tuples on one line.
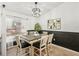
[(54, 24)]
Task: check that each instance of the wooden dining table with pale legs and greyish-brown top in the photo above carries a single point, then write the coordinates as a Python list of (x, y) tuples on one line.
[(31, 39)]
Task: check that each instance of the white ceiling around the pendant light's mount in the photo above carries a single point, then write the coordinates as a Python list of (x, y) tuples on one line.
[(26, 7)]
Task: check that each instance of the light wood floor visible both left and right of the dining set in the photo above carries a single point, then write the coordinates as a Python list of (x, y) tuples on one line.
[(54, 50)]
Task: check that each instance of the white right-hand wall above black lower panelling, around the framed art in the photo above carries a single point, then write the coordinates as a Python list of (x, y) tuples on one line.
[(69, 14)]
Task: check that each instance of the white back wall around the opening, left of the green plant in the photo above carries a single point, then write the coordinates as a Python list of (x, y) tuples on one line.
[(27, 21)]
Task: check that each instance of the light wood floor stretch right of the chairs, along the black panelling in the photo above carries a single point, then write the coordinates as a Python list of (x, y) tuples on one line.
[(61, 51)]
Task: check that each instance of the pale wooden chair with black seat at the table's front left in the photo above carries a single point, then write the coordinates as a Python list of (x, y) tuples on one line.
[(22, 46)]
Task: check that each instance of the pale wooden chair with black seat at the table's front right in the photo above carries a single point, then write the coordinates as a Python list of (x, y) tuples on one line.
[(40, 46)]
